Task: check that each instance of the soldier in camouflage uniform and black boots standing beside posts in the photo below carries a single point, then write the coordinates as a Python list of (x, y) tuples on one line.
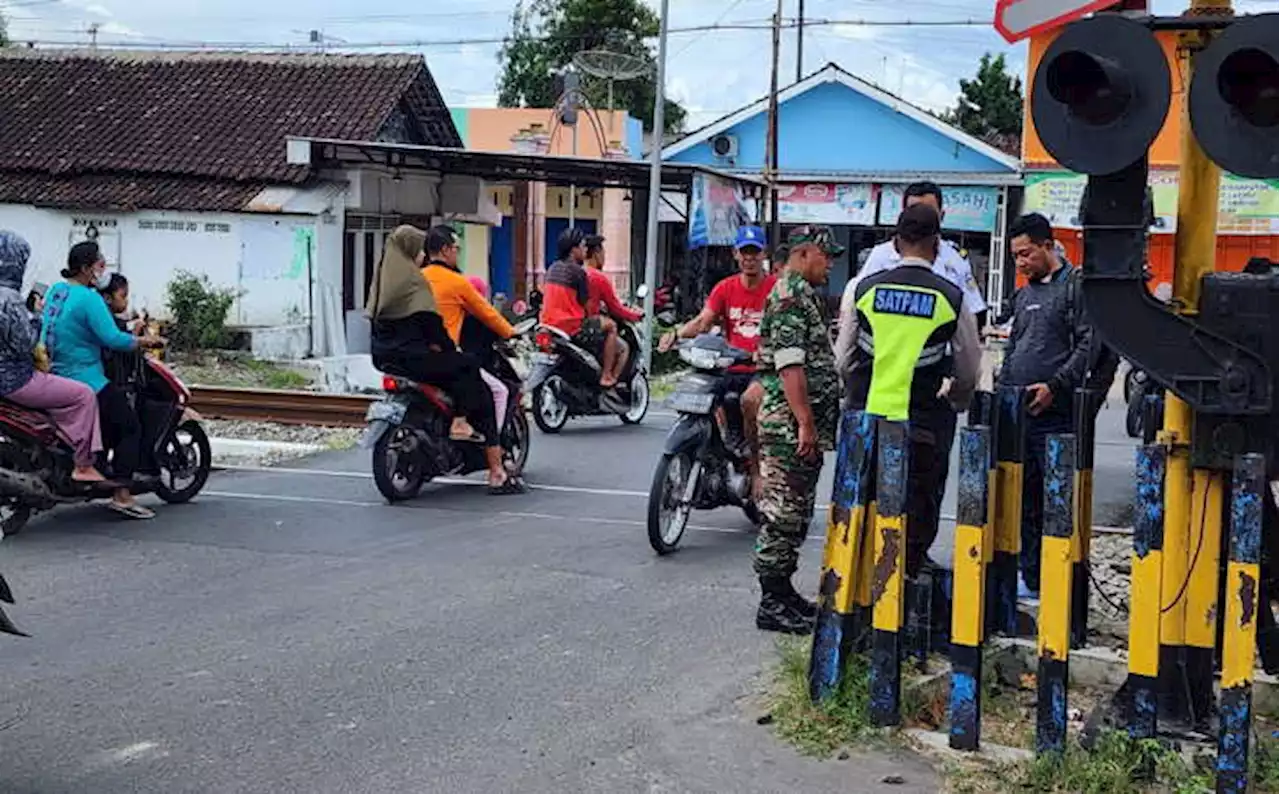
[(797, 422)]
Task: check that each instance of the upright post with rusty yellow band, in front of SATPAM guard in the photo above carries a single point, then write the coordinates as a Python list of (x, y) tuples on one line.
[(889, 576)]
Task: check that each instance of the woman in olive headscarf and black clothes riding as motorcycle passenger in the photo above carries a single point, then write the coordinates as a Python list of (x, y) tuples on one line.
[(409, 336)]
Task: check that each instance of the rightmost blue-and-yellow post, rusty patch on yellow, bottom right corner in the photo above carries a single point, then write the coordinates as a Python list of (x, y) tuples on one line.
[(1240, 629)]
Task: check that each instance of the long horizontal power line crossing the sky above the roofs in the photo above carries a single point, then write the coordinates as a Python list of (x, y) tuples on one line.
[(501, 40)]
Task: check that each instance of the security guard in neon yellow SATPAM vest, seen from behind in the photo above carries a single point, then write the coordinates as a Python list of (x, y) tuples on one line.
[(909, 350)]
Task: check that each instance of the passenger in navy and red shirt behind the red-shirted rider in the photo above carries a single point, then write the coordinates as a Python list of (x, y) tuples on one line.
[(565, 295)]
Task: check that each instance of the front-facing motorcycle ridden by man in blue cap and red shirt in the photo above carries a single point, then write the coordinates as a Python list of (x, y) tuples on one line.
[(700, 468)]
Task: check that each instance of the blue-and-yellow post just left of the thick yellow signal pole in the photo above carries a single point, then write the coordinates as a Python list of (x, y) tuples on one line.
[(1145, 583)]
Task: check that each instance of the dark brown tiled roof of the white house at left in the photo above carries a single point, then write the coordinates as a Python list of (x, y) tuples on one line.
[(218, 117)]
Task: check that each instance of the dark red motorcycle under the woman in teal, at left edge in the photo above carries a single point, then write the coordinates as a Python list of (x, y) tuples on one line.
[(36, 463)]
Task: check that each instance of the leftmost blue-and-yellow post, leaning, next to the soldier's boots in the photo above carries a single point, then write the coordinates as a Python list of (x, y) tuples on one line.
[(843, 623)]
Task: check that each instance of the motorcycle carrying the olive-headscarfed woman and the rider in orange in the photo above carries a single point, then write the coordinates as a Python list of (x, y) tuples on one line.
[(409, 431)]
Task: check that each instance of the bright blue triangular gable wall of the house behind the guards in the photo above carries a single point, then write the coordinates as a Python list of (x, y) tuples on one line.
[(835, 129)]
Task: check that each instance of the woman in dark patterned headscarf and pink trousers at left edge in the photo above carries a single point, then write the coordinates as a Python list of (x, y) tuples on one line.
[(70, 404)]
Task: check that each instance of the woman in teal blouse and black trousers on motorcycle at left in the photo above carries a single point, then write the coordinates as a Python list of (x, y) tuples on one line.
[(77, 327)]
